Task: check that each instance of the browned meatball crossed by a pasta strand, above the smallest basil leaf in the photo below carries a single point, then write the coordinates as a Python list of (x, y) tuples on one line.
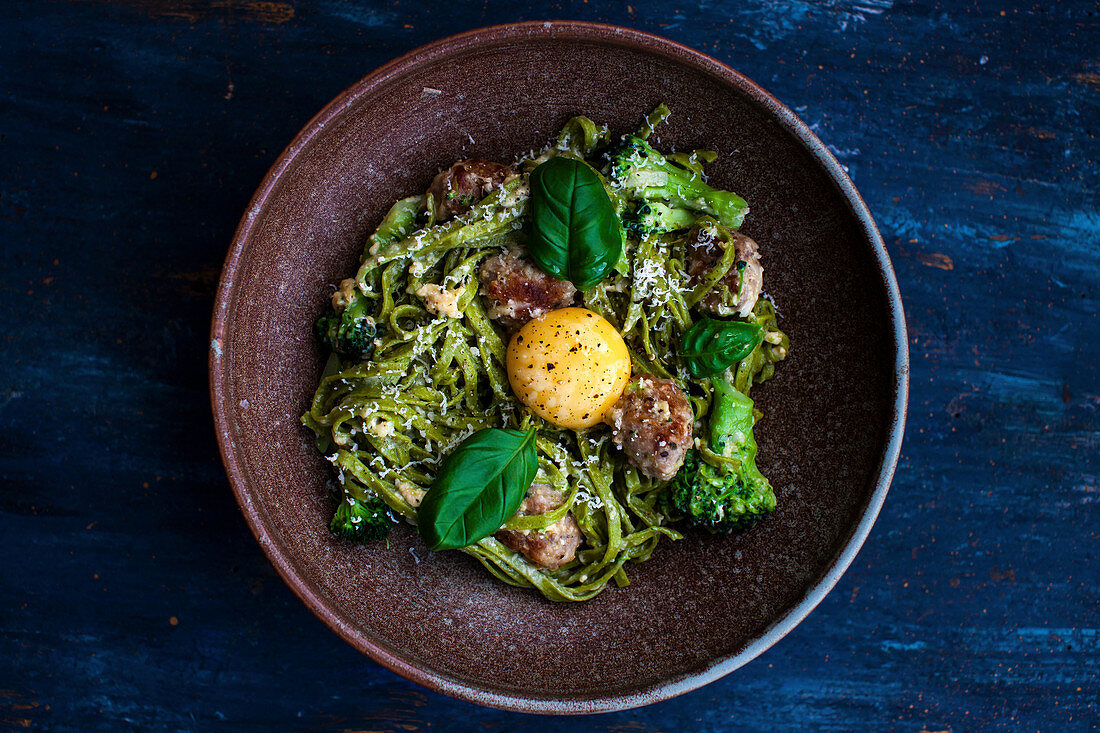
[(745, 279)]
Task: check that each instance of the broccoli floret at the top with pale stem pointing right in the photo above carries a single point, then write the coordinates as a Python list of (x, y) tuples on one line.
[(647, 176)]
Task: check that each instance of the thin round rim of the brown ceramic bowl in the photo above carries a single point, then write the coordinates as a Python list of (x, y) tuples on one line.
[(637, 41)]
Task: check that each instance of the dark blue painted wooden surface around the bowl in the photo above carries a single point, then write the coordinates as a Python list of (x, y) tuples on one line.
[(133, 596)]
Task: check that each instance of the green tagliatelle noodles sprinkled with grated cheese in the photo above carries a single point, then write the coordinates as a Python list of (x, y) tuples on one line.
[(436, 377)]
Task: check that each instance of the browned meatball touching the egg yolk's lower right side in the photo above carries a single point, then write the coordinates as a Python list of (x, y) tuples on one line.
[(653, 424)]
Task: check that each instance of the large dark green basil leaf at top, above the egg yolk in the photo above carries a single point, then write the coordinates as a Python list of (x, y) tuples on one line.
[(576, 234)]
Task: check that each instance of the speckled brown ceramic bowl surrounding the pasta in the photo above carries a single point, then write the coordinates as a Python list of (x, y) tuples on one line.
[(701, 608)]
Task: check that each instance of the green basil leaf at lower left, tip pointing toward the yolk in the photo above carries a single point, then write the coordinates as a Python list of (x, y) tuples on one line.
[(480, 486)]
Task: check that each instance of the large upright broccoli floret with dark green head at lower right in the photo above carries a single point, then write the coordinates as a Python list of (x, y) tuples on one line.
[(722, 489)]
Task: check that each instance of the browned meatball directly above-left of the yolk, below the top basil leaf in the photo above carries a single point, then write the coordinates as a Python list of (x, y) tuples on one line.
[(518, 291)]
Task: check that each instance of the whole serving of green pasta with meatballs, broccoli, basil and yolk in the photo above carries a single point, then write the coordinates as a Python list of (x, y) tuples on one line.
[(547, 365)]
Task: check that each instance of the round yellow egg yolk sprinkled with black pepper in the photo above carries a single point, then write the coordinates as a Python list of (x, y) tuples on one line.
[(569, 367)]
